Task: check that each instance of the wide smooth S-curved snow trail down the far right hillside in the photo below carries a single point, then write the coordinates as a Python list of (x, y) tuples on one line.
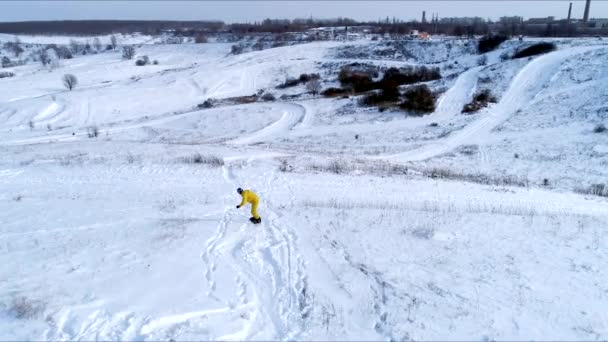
[(524, 87)]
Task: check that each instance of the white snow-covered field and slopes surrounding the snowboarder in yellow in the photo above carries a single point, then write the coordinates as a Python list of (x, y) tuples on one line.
[(375, 225)]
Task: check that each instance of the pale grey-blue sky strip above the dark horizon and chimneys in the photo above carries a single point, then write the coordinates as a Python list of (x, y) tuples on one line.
[(231, 11)]
